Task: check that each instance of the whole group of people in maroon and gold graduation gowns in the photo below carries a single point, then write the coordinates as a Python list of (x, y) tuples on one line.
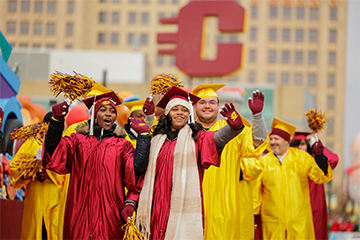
[(185, 174)]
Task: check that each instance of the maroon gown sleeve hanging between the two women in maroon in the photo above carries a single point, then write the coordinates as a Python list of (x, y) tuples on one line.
[(132, 184)]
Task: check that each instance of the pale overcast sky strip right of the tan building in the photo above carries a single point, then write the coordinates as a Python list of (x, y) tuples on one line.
[(352, 97)]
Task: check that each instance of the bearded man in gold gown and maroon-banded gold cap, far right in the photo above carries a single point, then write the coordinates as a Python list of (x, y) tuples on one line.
[(283, 185)]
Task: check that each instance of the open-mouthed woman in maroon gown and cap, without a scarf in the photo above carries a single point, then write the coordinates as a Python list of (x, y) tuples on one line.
[(101, 163)]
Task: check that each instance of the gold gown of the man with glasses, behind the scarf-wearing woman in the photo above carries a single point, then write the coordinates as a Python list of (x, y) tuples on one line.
[(228, 202)]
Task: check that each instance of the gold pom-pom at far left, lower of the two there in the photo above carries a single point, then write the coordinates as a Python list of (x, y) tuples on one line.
[(27, 165)]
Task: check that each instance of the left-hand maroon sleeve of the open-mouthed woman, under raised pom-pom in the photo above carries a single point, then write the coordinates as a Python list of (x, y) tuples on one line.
[(61, 160)]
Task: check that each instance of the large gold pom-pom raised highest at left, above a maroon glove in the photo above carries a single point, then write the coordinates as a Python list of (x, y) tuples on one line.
[(71, 86)]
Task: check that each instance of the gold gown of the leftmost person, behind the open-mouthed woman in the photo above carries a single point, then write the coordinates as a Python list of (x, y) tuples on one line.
[(42, 201)]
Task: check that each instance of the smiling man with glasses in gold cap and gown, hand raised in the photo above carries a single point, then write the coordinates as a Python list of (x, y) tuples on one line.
[(230, 184)]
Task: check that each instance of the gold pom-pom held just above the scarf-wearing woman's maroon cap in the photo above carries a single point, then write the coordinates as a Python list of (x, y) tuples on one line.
[(161, 83)]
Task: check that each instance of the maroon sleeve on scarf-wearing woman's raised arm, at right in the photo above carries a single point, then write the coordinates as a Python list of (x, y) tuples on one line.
[(207, 151)]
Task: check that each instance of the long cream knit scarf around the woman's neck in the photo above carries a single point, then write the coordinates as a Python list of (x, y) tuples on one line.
[(185, 219)]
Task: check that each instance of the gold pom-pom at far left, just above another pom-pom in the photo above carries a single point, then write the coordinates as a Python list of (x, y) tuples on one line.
[(34, 131)]
